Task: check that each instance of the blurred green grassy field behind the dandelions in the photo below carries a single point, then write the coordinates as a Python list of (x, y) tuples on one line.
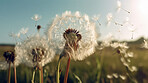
[(88, 69)]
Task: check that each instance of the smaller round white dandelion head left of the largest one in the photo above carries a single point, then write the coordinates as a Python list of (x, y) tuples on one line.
[(35, 51)]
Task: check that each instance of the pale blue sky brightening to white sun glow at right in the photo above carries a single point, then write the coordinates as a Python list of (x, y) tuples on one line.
[(16, 14)]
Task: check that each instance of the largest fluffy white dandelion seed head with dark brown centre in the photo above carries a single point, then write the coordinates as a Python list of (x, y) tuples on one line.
[(79, 37)]
